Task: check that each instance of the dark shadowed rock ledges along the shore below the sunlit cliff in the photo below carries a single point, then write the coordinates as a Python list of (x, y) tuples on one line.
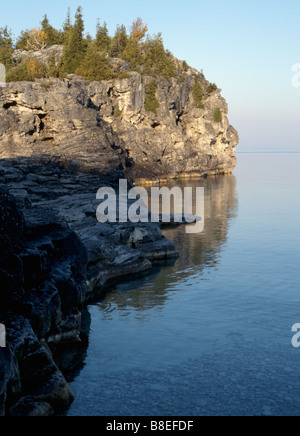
[(55, 257)]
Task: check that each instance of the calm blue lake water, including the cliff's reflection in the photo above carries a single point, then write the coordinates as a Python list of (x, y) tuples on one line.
[(210, 334)]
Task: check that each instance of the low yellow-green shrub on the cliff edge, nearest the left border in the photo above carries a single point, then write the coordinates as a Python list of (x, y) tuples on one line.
[(28, 71)]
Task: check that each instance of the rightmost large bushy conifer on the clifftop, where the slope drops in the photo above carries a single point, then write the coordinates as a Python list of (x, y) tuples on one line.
[(157, 62)]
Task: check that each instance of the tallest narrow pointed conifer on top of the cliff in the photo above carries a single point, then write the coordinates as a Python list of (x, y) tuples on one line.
[(75, 46)]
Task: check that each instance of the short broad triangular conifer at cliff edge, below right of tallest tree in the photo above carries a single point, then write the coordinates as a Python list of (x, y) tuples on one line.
[(95, 66)]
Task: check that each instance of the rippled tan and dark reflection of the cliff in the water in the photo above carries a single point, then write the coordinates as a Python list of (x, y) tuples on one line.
[(197, 251)]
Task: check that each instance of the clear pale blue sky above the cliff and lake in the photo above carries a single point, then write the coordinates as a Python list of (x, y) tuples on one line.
[(247, 48)]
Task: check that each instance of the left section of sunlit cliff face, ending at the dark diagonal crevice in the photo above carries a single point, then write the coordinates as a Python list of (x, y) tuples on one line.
[(57, 117)]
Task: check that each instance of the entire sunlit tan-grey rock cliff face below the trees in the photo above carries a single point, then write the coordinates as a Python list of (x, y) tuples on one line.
[(102, 124)]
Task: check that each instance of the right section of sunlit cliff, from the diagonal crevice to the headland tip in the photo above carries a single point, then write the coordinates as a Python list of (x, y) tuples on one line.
[(180, 140)]
